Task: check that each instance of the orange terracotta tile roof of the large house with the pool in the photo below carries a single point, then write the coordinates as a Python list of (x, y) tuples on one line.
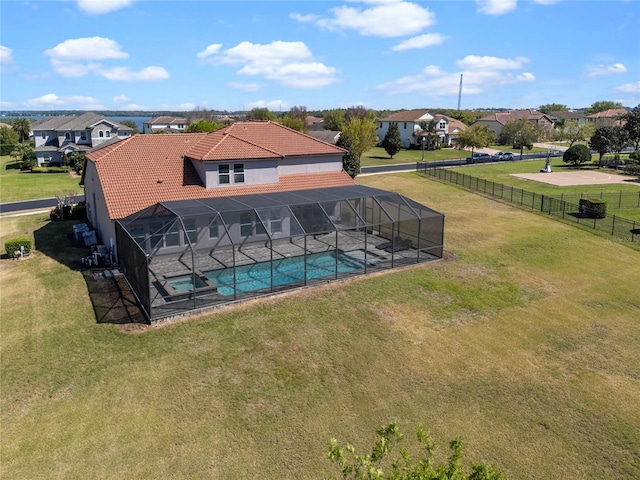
[(146, 169)]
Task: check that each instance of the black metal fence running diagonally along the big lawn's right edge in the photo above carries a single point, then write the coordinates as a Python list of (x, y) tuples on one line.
[(566, 207)]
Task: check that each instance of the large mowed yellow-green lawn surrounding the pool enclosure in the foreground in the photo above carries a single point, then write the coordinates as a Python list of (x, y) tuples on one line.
[(527, 345)]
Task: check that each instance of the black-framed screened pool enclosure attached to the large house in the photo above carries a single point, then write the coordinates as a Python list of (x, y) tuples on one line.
[(187, 255)]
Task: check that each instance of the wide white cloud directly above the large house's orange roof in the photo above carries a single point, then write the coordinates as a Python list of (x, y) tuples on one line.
[(288, 63)]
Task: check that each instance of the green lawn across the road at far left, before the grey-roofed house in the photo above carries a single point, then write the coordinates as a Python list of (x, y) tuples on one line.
[(16, 185)]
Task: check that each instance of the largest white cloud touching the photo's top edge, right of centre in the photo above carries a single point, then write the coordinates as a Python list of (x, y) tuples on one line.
[(383, 19)]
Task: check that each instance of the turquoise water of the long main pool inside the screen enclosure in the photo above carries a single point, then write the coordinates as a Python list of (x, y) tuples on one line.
[(257, 276)]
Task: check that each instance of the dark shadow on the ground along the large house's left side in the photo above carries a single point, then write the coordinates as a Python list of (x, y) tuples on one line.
[(111, 297)]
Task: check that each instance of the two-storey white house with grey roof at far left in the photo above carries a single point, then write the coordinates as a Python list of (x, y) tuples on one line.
[(58, 137)]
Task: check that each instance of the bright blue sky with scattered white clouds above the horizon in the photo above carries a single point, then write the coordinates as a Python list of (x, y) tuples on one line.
[(384, 54)]
